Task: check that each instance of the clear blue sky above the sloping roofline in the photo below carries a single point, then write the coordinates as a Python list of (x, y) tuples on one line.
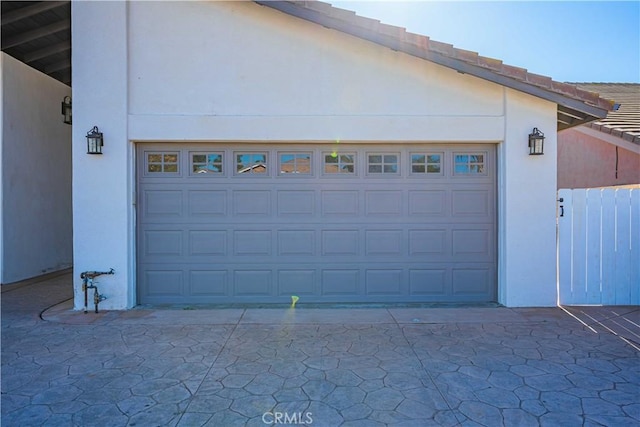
[(569, 41)]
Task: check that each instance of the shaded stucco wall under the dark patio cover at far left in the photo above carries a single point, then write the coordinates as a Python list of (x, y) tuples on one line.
[(35, 171)]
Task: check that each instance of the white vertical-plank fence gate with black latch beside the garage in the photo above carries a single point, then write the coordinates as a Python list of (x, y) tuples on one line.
[(599, 246)]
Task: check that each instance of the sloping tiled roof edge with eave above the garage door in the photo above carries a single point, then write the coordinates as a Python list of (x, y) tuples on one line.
[(575, 106)]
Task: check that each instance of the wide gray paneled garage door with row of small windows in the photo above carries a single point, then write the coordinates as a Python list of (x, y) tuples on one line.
[(330, 223)]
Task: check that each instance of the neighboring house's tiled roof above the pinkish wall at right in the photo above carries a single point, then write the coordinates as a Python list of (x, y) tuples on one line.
[(625, 121)]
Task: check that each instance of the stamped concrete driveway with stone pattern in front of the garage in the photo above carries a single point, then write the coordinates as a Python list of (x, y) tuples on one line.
[(322, 367)]
